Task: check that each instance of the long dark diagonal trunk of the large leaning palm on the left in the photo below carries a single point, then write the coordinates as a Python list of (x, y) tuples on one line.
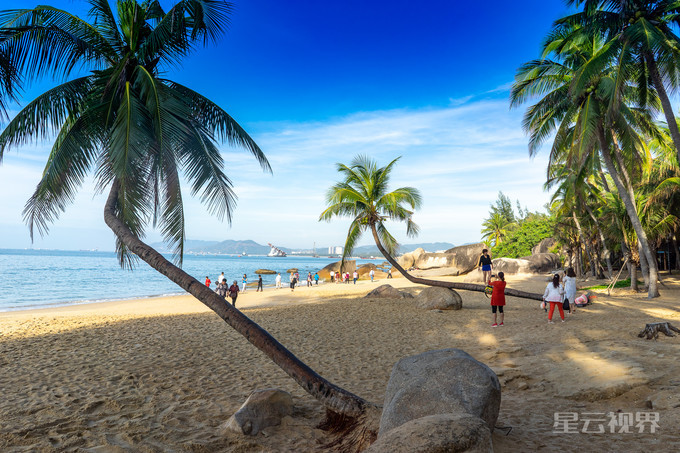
[(333, 397)]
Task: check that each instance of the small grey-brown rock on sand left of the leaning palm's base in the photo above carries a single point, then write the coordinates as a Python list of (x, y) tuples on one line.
[(262, 409)]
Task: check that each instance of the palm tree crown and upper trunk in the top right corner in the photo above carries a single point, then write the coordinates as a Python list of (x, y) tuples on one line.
[(641, 35)]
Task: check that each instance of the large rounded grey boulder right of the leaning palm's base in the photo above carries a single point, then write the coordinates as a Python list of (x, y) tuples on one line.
[(445, 381)]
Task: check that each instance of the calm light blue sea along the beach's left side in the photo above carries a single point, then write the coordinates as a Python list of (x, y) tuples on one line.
[(46, 278)]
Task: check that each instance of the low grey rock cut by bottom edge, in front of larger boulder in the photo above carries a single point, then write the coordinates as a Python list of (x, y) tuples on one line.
[(441, 433)]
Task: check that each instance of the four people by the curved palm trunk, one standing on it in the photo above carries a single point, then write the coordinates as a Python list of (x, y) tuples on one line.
[(560, 292)]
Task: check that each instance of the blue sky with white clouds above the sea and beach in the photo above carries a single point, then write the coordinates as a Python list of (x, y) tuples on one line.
[(318, 83)]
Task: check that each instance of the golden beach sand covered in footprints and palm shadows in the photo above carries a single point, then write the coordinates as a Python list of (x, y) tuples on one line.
[(158, 375)]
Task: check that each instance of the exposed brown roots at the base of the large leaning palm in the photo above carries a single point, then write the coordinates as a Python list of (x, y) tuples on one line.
[(353, 434)]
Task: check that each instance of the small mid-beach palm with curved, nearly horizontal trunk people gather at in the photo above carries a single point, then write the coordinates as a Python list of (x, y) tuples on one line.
[(363, 195)]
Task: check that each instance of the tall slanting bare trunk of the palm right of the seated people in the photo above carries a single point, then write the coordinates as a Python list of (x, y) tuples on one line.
[(629, 202)]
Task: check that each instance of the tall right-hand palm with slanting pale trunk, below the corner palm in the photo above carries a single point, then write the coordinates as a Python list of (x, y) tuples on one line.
[(576, 107)]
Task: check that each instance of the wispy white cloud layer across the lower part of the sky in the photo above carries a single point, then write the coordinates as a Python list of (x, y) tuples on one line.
[(459, 157)]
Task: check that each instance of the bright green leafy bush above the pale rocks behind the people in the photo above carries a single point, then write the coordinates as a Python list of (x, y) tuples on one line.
[(520, 241)]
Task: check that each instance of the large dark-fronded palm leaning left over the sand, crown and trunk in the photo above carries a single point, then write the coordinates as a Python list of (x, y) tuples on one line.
[(138, 132)]
